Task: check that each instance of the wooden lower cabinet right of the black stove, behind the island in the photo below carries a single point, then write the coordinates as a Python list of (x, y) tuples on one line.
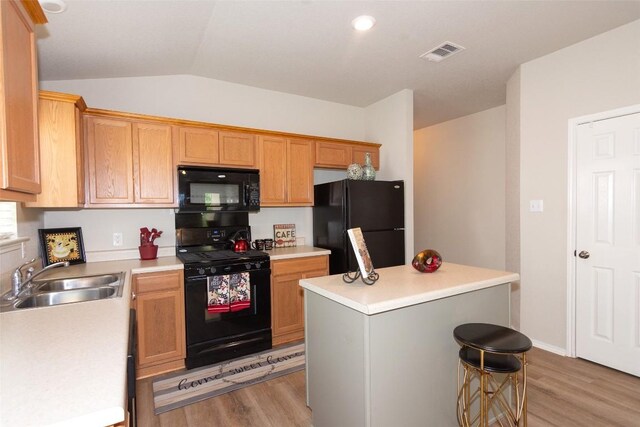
[(287, 298)]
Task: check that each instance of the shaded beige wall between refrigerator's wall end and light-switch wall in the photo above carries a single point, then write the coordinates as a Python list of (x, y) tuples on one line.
[(459, 194)]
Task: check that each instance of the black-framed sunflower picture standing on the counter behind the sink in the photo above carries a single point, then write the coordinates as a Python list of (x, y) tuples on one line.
[(62, 244)]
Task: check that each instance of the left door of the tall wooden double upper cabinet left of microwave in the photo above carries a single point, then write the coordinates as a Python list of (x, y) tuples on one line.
[(110, 160)]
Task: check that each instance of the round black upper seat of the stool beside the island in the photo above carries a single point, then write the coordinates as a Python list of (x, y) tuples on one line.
[(491, 338)]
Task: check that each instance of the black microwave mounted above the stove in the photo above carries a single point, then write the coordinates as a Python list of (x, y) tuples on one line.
[(202, 189)]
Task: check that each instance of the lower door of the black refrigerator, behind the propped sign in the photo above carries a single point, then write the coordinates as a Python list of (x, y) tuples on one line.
[(386, 249)]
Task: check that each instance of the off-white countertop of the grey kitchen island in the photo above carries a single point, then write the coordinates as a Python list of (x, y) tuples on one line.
[(403, 286)]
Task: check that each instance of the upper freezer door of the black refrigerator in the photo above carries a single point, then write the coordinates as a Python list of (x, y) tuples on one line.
[(375, 205)]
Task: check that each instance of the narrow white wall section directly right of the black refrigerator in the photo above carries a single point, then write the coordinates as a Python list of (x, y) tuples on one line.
[(390, 122)]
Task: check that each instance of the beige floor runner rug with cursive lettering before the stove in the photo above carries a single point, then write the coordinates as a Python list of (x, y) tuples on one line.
[(183, 388)]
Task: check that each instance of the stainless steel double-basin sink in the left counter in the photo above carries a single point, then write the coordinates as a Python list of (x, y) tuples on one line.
[(57, 291)]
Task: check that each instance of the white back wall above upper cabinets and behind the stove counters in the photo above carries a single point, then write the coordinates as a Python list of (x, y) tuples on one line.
[(197, 98)]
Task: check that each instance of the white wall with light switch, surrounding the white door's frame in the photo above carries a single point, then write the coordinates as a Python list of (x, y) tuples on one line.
[(598, 74)]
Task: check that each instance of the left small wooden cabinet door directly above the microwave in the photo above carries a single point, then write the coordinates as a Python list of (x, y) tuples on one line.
[(198, 146)]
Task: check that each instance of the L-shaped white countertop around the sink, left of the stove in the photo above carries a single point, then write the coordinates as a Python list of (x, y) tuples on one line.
[(66, 365)]
